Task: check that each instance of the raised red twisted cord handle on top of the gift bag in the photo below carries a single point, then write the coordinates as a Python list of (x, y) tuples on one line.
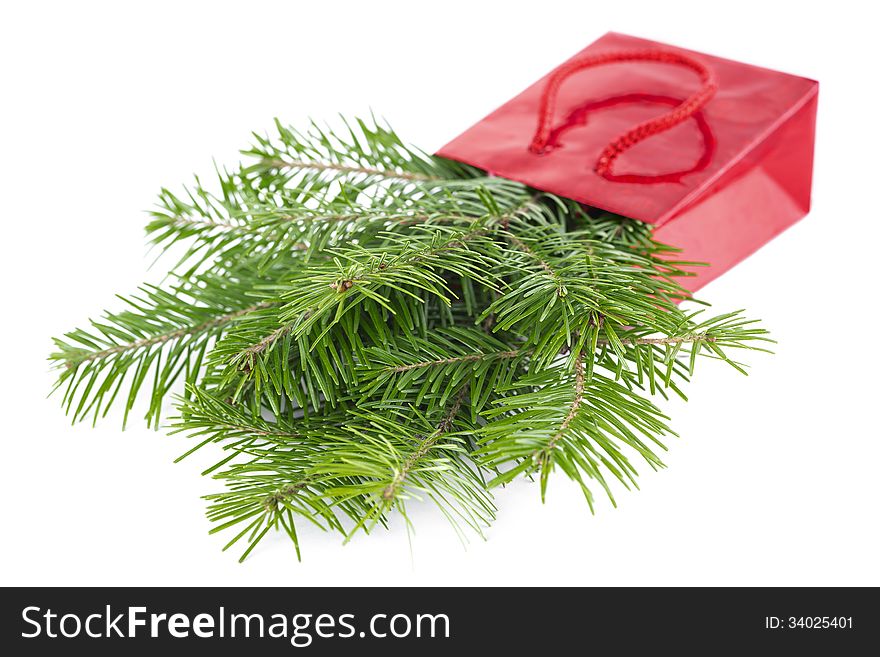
[(642, 131)]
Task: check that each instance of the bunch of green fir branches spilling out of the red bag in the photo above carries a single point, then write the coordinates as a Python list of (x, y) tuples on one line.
[(355, 325)]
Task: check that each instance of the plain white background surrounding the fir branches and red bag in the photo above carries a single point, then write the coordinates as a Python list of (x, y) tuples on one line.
[(775, 478)]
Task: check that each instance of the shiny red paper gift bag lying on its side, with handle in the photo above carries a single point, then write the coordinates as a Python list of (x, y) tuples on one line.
[(718, 155)]
